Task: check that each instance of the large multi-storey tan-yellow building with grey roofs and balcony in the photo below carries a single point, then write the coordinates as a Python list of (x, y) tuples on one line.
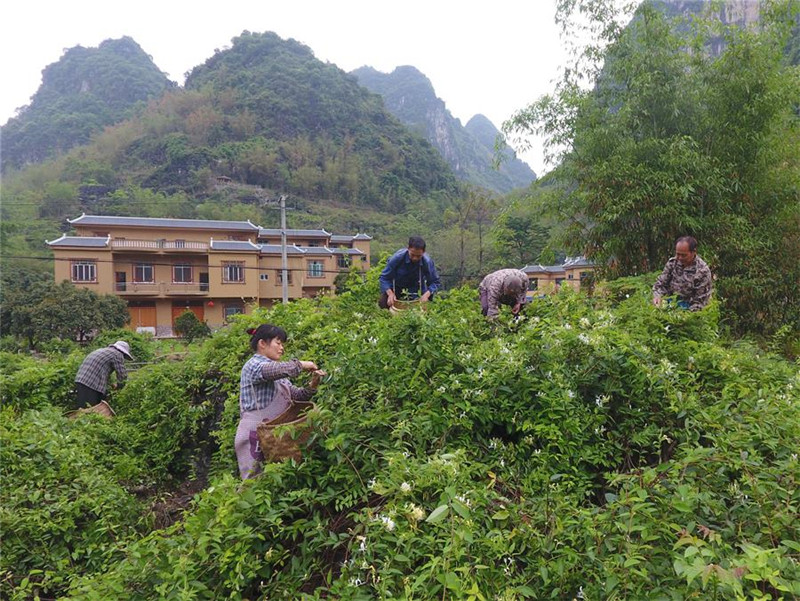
[(162, 267)]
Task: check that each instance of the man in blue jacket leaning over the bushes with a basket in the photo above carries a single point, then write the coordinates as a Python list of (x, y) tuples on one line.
[(409, 274)]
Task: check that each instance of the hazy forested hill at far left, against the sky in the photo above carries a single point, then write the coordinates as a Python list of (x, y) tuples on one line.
[(86, 90)]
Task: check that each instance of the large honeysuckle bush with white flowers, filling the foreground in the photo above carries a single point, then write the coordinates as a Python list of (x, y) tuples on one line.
[(597, 448)]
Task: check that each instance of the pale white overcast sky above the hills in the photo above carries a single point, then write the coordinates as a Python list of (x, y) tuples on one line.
[(481, 56)]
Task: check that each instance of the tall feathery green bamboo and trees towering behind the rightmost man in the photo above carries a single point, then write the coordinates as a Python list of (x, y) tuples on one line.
[(673, 140)]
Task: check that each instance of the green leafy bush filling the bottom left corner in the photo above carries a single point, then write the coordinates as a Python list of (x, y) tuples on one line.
[(61, 515)]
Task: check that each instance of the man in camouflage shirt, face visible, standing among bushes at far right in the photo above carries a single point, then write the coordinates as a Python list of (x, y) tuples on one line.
[(686, 276)]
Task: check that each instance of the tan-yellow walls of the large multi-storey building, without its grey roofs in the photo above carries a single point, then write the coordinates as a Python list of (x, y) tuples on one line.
[(154, 304)]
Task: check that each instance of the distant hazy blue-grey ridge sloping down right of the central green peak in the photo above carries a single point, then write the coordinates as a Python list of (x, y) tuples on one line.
[(469, 150)]
